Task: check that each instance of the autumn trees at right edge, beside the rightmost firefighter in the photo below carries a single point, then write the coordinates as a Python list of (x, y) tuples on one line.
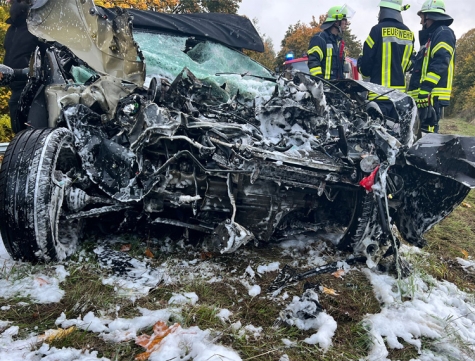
[(464, 77)]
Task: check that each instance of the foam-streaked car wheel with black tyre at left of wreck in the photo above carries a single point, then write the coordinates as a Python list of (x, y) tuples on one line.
[(34, 177)]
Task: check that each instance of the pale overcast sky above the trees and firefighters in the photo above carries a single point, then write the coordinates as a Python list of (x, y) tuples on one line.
[(275, 16)]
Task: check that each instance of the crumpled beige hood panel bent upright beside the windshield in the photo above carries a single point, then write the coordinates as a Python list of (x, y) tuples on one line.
[(106, 46)]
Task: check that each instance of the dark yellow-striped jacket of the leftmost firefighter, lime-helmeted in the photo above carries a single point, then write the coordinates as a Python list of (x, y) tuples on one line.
[(326, 55)]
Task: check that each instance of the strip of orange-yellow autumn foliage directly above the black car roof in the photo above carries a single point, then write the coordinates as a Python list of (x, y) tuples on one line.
[(176, 6)]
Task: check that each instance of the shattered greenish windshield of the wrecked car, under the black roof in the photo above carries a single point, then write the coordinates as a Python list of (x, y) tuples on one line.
[(166, 56)]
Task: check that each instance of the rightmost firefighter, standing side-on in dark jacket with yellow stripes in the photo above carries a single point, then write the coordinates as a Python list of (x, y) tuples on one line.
[(432, 76)]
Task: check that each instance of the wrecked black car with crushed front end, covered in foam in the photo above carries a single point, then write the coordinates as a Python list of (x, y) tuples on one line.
[(145, 121)]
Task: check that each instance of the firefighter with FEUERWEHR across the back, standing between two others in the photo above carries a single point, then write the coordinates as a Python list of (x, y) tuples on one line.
[(387, 53)]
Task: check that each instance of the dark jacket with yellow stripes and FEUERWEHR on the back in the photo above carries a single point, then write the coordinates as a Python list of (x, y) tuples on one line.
[(387, 55)]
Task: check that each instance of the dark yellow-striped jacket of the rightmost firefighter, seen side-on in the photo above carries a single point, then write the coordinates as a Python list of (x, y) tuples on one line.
[(434, 63)]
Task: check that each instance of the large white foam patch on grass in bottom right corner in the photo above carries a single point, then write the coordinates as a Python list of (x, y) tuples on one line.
[(436, 310)]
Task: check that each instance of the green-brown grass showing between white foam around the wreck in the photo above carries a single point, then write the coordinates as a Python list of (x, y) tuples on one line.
[(453, 237)]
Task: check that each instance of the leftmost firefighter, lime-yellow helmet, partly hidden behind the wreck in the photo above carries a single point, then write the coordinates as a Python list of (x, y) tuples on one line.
[(326, 51)]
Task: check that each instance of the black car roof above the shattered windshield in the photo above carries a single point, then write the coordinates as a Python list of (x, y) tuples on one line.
[(229, 29)]
